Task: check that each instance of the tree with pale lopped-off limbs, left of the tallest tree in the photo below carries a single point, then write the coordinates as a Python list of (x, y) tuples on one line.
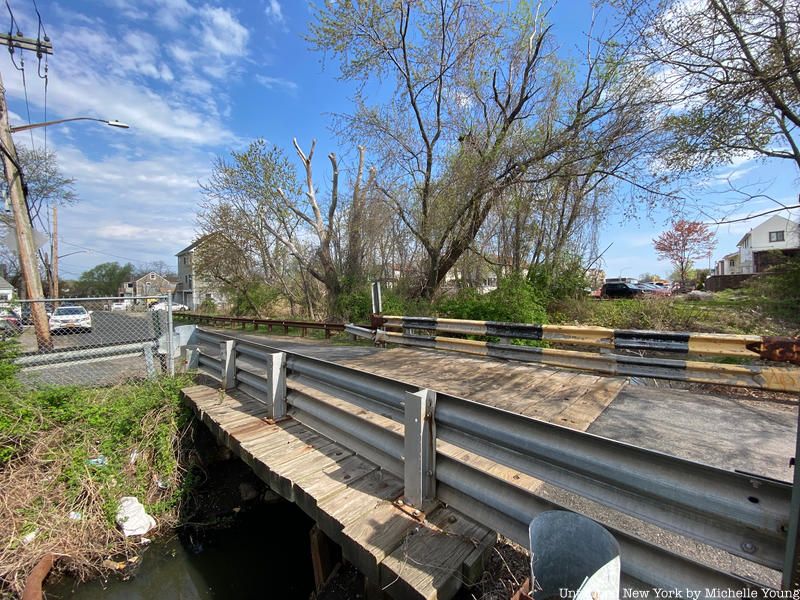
[(261, 209)]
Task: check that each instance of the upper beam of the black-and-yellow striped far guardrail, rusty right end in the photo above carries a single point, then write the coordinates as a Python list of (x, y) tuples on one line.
[(781, 349)]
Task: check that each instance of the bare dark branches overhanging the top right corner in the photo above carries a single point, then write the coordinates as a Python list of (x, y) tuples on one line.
[(732, 69)]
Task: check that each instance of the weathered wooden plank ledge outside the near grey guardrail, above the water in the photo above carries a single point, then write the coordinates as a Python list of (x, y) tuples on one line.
[(351, 500)]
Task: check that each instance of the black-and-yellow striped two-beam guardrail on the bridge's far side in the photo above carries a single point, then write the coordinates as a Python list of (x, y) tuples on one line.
[(634, 353)]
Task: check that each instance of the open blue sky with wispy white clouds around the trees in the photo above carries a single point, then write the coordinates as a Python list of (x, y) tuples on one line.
[(195, 79)]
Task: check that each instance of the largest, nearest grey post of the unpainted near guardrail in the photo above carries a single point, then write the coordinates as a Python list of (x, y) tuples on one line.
[(420, 448)]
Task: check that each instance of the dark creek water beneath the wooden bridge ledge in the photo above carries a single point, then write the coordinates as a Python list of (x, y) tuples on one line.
[(235, 539)]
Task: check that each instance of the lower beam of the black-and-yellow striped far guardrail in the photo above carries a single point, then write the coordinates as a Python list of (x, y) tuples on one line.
[(782, 379)]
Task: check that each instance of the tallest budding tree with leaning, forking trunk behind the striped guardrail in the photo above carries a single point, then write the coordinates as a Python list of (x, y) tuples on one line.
[(480, 104)]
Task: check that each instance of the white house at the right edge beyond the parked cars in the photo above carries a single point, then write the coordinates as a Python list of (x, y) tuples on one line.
[(776, 233)]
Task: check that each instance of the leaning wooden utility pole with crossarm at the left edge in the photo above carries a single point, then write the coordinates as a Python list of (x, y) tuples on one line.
[(19, 205)]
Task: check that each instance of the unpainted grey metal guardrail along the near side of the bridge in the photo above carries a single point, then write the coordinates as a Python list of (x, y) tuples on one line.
[(451, 449)]
